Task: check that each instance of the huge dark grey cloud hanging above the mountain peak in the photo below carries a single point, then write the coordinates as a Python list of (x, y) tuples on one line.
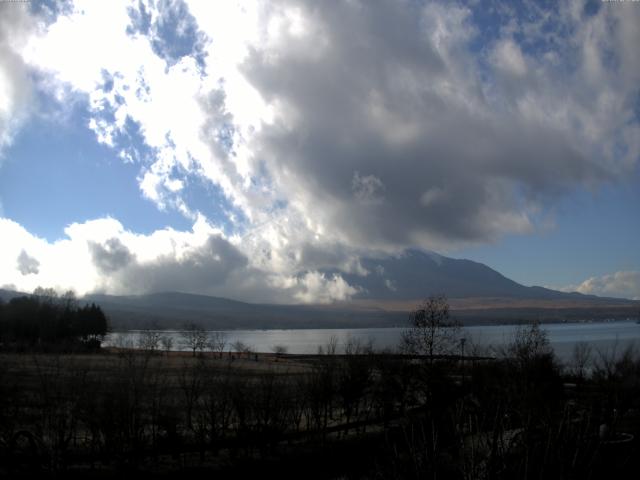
[(391, 133)]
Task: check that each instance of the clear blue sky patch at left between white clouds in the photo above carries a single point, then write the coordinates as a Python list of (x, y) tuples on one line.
[(56, 174)]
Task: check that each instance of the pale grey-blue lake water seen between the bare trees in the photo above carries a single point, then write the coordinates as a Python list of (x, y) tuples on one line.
[(602, 336)]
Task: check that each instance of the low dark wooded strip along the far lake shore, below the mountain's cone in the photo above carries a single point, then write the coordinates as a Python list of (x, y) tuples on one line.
[(174, 310)]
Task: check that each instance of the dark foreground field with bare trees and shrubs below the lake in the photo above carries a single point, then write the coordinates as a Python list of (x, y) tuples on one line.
[(360, 414)]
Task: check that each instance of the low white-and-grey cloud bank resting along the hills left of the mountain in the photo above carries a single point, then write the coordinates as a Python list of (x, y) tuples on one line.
[(101, 256)]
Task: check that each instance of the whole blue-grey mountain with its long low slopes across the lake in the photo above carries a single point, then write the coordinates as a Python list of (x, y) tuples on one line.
[(392, 287)]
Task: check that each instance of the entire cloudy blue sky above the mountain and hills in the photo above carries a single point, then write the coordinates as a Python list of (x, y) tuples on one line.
[(247, 149)]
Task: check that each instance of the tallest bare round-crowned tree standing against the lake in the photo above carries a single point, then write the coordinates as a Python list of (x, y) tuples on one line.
[(432, 331)]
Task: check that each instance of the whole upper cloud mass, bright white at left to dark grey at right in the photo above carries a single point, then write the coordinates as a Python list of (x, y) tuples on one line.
[(309, 108)]
